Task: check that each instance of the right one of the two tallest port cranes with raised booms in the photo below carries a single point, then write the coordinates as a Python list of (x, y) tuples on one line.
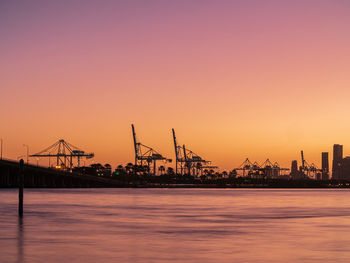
[(187, 161)]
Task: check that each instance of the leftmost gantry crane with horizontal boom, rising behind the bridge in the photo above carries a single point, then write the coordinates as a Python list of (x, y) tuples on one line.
[(64, 153)]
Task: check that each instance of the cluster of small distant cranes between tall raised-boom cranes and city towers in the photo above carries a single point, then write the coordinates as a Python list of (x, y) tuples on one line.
[(266, 170)]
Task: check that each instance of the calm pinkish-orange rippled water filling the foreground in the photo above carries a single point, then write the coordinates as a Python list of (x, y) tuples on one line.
[(176, 225)]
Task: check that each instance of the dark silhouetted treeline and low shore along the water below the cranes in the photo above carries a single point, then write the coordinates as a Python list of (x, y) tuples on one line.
[(140, 176)]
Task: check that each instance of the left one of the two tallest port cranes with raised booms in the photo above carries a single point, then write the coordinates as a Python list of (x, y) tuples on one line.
[(145, 154)]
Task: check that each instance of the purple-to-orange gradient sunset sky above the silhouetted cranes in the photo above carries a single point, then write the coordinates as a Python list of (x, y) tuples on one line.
[(236, 79)]
